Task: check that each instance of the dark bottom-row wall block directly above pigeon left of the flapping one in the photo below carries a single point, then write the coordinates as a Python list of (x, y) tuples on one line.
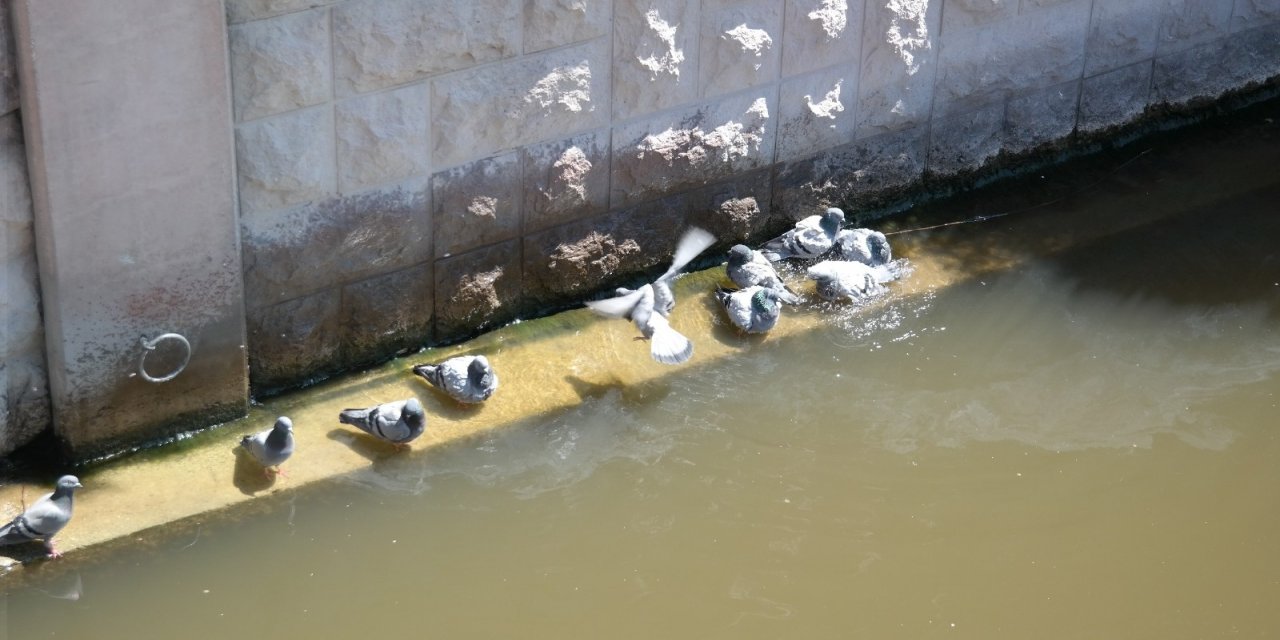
[(478, 291)]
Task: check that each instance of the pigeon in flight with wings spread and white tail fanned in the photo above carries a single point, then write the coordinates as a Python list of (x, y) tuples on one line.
[(650, 307)]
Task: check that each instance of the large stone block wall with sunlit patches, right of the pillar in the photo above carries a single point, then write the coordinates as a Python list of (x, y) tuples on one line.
[(413, 172)]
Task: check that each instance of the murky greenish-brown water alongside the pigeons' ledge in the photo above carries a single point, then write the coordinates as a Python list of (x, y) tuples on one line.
[(1085, 446)]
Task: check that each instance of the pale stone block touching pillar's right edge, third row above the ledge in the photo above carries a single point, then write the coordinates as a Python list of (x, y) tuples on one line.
[(286, 161)]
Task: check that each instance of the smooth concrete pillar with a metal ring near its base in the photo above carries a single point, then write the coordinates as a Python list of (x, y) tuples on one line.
[(127, 117)]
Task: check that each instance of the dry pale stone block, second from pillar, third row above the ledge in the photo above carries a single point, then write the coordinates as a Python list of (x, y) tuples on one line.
[(382, 138)]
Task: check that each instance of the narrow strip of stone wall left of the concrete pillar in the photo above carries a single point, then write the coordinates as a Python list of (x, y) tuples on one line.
[(24, 380)]
